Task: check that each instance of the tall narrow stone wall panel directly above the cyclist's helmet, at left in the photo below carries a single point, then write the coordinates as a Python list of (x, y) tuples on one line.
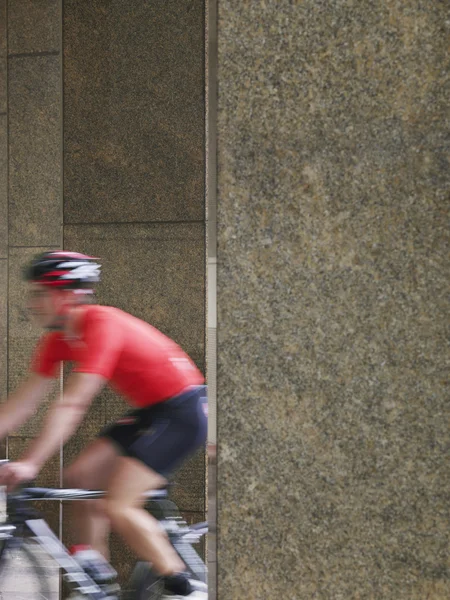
[(35, 207)]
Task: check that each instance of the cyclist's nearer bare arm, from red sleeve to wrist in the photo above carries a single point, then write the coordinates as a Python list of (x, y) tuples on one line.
[(65, 416)]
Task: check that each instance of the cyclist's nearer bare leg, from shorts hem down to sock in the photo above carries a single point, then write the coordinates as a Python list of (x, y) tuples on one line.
[(141, 531)]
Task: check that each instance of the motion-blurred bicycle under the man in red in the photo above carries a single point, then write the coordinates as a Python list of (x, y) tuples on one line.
[(32, 557)]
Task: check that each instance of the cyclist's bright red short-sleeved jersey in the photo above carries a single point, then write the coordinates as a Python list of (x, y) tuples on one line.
[(139, 361)]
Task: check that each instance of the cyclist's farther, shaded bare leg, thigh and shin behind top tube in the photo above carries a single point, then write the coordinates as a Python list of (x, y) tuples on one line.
[(92, 469)]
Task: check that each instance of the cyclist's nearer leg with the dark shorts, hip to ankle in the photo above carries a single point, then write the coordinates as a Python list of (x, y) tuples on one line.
[(175, 429)]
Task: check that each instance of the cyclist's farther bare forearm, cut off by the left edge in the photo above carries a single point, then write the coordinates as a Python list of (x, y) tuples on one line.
[(23, 403)]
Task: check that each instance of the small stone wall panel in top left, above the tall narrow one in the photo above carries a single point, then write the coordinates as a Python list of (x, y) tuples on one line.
[(34, 26)]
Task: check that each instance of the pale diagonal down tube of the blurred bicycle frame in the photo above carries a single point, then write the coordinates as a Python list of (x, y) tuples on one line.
[(77, 579)]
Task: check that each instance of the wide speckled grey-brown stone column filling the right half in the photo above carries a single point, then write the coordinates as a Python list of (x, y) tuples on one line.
[(333, 269)]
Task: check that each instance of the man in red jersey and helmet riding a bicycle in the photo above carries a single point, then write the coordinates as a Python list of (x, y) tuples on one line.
[(137, 452)]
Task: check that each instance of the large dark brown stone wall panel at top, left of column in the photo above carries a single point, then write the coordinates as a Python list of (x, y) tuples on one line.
[(133, 111)]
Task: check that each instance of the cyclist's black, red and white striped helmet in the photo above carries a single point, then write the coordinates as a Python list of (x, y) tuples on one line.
[(63, 270)]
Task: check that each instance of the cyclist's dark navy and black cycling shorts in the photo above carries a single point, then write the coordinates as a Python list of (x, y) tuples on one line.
[(163, 435)]
